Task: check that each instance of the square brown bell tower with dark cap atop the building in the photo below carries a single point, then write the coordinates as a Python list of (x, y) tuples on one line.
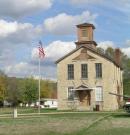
[(85, 35)]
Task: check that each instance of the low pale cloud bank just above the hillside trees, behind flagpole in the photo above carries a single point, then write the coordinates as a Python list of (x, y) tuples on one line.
[(26, 69)]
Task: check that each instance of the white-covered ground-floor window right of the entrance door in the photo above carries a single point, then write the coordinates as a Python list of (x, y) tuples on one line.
[(99, 93)]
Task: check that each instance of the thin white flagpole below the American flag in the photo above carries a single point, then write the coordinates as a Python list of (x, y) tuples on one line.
[(39, 85)]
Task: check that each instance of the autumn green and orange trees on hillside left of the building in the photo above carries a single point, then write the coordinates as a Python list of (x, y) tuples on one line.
[(24, 90)]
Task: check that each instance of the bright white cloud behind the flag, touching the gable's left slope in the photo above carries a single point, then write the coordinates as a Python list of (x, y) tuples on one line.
[(55, 50)]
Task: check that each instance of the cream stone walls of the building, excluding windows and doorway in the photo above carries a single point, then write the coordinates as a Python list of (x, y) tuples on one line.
[(110, 75)]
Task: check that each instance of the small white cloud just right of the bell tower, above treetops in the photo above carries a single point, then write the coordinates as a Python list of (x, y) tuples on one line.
[(106, 44)]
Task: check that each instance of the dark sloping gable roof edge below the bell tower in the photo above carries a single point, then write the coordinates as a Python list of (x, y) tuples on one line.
[(92, 50)]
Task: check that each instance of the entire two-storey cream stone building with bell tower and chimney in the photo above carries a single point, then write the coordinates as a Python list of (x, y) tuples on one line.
[(87, 75)]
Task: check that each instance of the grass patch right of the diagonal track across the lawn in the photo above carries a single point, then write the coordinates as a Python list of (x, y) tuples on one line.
[(116, 124)]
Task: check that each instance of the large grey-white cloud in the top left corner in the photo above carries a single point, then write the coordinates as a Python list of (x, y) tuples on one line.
[(17, 8)]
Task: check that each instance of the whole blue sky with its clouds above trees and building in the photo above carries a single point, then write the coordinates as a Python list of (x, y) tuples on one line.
[(25, 22)]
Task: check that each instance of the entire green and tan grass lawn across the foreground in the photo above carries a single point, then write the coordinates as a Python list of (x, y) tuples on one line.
[(67, 124)]
